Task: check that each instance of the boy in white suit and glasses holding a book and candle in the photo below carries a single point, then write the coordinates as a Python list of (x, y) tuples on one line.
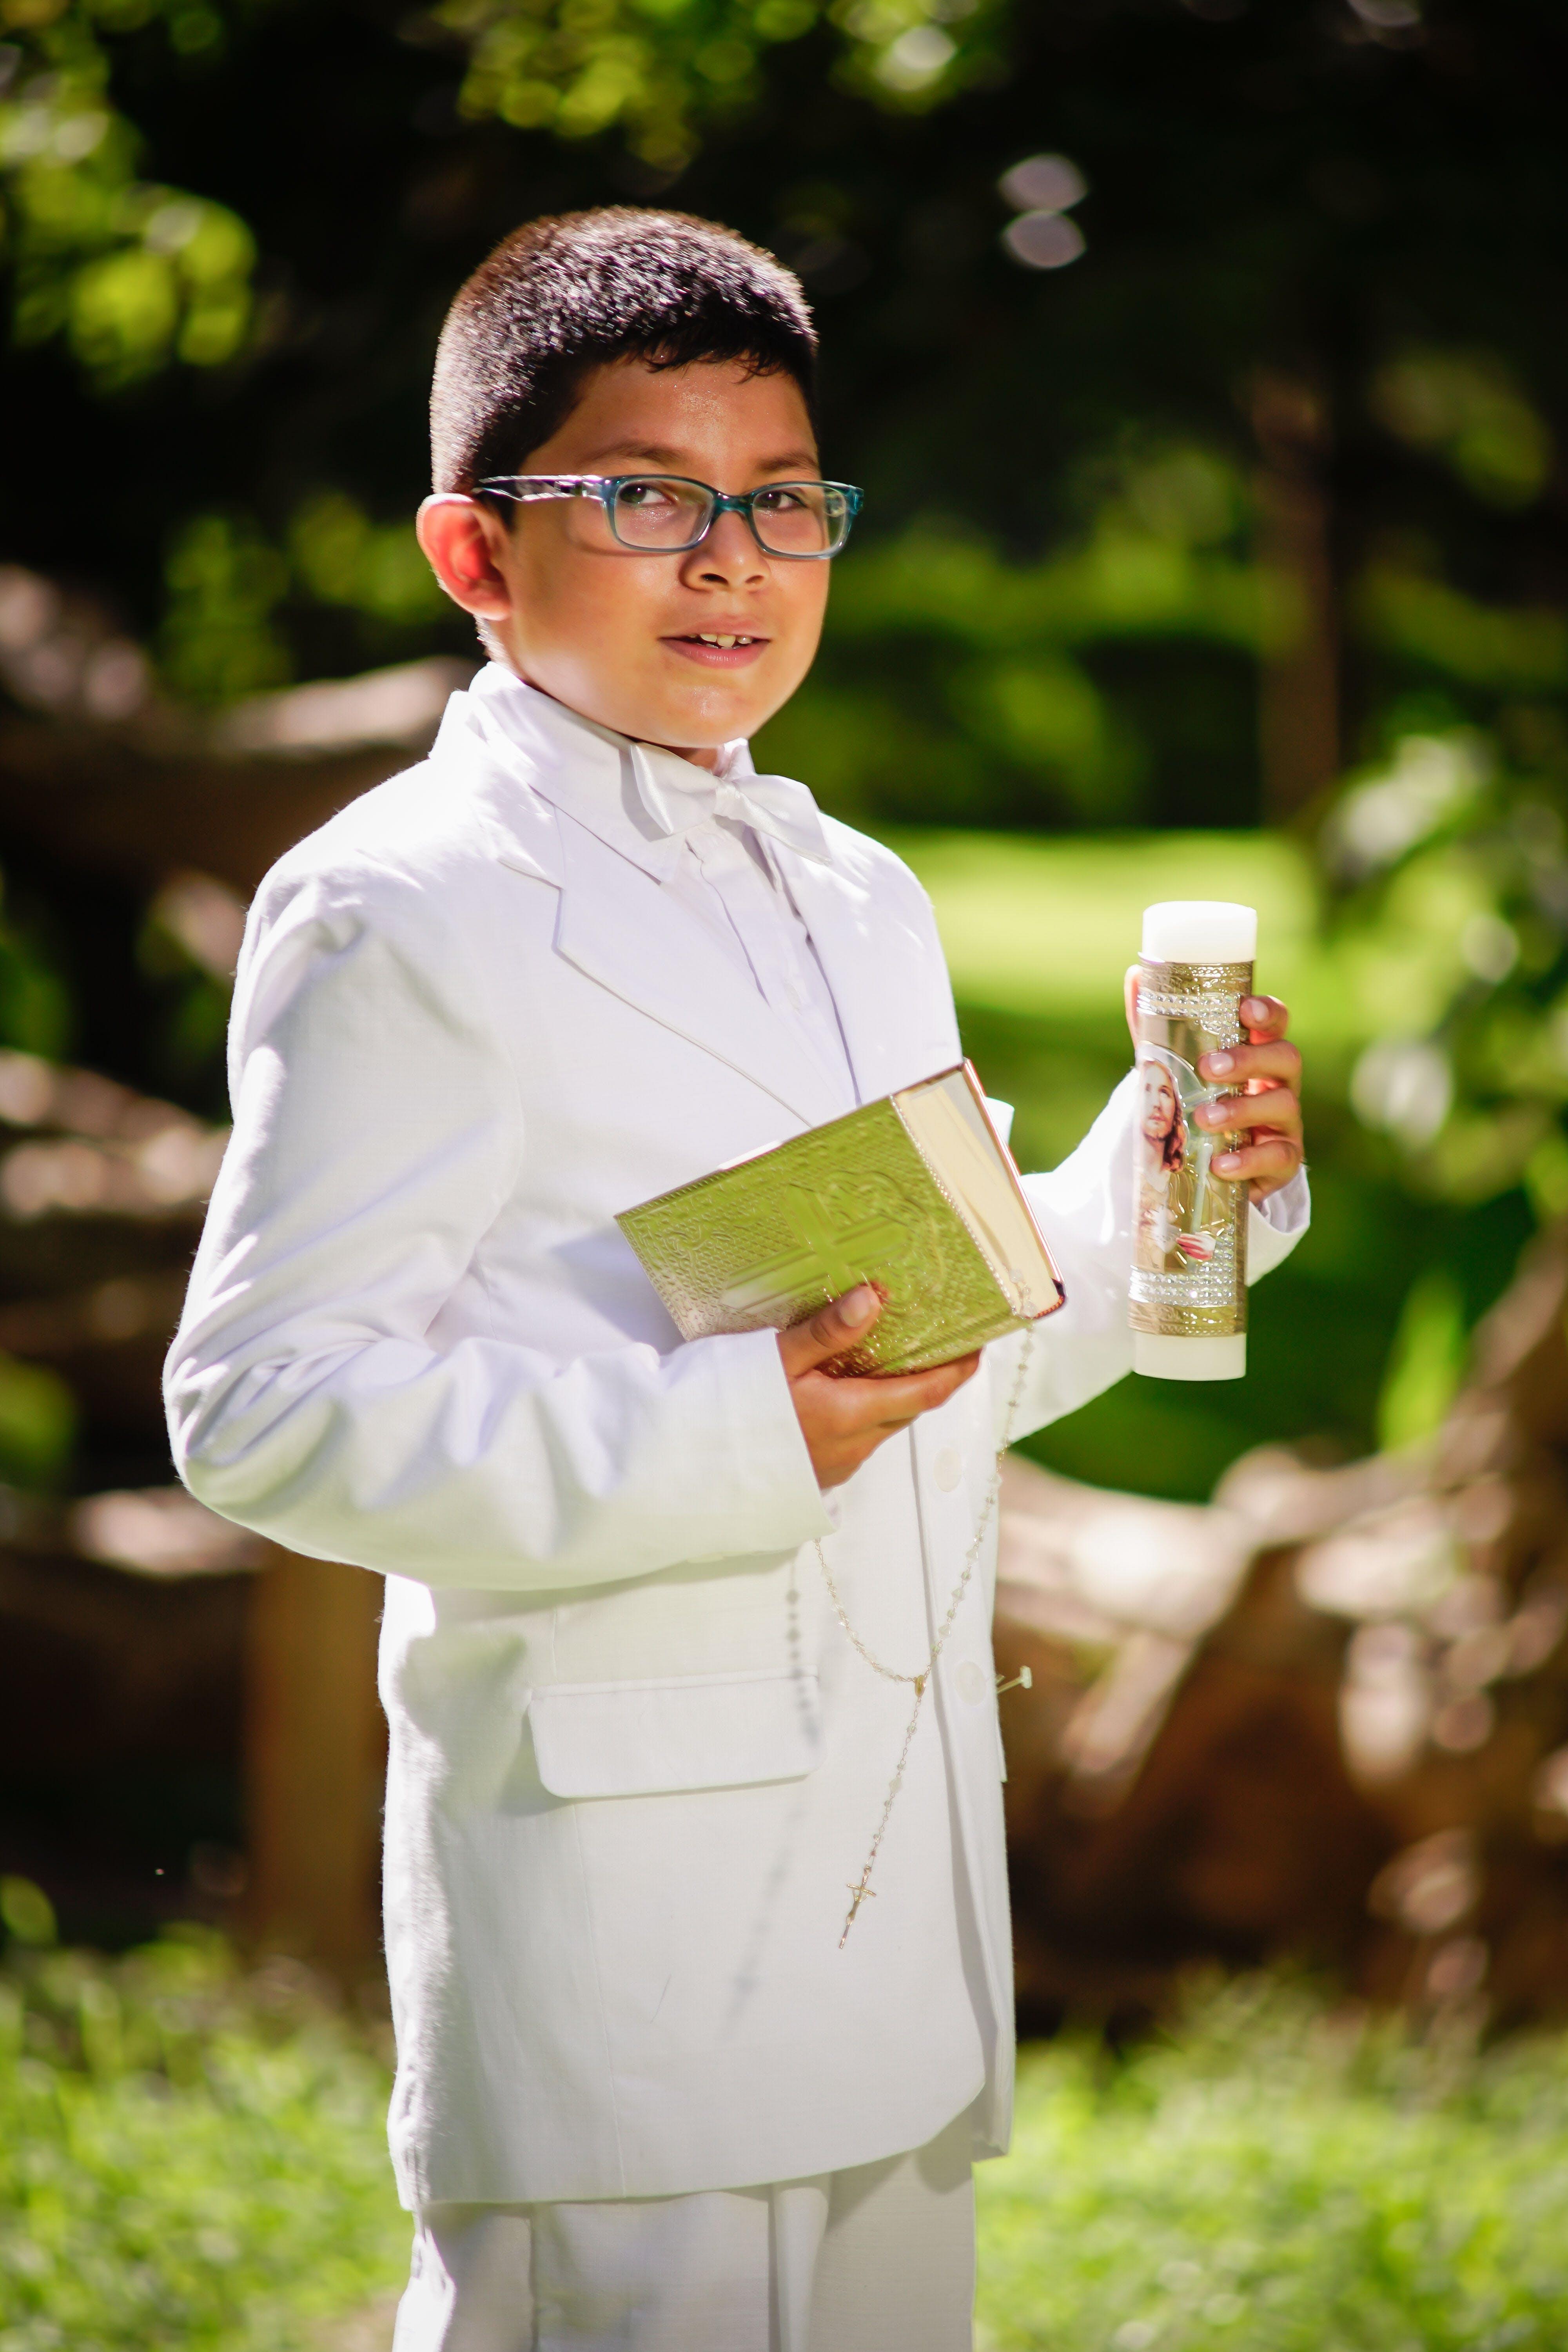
[(650, 2092)]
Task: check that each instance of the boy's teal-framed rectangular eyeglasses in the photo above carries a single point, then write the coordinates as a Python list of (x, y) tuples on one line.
[(664, 514)]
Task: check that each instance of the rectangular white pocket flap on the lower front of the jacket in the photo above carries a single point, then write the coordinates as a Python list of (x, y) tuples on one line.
[(650, 1739)]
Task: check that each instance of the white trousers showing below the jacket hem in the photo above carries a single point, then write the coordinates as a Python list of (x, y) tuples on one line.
[(878, 2259)]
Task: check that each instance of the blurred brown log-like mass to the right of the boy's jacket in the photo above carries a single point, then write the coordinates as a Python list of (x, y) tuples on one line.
[(1325, 1716)]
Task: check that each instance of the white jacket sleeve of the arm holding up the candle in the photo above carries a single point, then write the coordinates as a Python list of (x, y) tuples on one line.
[(1085, 1212)]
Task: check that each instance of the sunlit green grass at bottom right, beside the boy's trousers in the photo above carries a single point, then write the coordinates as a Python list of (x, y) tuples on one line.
[(1275, 2177)]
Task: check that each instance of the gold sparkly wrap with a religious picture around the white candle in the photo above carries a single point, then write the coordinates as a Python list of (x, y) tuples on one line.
[(1188, 1224)]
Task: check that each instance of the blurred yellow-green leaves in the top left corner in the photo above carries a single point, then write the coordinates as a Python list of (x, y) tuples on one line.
[(133, 274)]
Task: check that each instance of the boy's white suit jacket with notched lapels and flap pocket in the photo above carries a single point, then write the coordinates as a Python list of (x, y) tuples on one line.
[(634, 1760)]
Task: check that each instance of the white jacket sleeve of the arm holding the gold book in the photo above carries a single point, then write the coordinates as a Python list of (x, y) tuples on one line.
[(377, 1137)]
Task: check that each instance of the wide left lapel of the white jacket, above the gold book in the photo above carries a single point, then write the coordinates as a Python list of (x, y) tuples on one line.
[(622, 930)]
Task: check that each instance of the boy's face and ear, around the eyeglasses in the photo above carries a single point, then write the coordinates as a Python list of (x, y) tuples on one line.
[(622, 636)]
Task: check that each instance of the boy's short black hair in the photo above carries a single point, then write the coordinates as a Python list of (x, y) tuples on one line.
[(572, 293)]
